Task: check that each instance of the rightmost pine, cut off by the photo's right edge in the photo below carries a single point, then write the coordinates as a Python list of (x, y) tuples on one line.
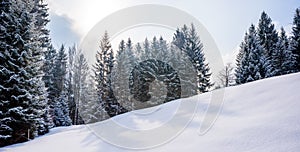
[(295, 39)]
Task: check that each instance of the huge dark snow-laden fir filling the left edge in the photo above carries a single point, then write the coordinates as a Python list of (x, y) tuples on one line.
[(24, 110)]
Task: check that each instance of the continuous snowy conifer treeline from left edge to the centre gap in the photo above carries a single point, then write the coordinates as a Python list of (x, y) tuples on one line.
[(42, 87)]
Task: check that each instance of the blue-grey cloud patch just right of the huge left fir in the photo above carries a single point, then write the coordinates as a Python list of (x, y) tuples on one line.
[(61, 31)]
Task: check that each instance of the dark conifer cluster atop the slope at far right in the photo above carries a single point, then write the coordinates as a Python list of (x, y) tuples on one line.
[(265, 52)]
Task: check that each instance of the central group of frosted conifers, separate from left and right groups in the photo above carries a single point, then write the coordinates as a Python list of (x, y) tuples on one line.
[(149, 60)]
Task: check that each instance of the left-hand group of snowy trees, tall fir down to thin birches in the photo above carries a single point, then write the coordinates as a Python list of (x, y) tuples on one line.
[(38, 84)]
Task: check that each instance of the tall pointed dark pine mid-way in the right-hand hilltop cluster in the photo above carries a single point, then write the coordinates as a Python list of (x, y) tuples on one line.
[(268, 38)]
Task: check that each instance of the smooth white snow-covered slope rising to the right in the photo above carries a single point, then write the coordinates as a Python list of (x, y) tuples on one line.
[(262, 116)]
